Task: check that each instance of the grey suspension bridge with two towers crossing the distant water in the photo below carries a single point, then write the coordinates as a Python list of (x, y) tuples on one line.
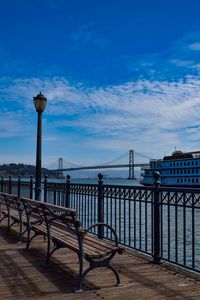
[(131, 165)]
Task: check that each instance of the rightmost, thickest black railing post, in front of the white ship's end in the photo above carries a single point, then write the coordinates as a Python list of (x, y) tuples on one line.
[(156, 219)]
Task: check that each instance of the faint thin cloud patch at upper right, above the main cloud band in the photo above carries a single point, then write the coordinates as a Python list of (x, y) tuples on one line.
[(172, 64)]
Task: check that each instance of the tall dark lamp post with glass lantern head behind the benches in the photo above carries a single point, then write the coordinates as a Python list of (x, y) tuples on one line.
[(40, 104)]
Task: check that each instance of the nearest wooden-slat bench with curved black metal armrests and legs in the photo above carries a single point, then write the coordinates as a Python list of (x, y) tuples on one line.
[(61, 229)]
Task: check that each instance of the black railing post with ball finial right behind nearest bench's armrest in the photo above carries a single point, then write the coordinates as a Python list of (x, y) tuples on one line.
[(100, 205)]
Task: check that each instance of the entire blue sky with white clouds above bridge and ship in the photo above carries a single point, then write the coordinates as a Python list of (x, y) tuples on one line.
[(117, 74)]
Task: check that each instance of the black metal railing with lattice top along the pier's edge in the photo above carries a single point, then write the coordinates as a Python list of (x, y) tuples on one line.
[(161, 222)]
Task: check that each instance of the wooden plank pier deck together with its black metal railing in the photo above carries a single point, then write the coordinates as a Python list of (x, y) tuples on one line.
[(157, 226)]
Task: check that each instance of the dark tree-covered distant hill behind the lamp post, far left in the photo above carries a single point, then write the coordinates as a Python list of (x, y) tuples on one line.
[(23, 170)]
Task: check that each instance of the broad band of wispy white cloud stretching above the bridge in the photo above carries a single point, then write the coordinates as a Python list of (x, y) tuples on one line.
[(149, 115)]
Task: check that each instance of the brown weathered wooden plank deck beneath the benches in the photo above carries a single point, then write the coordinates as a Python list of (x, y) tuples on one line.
[(24, 276)]
